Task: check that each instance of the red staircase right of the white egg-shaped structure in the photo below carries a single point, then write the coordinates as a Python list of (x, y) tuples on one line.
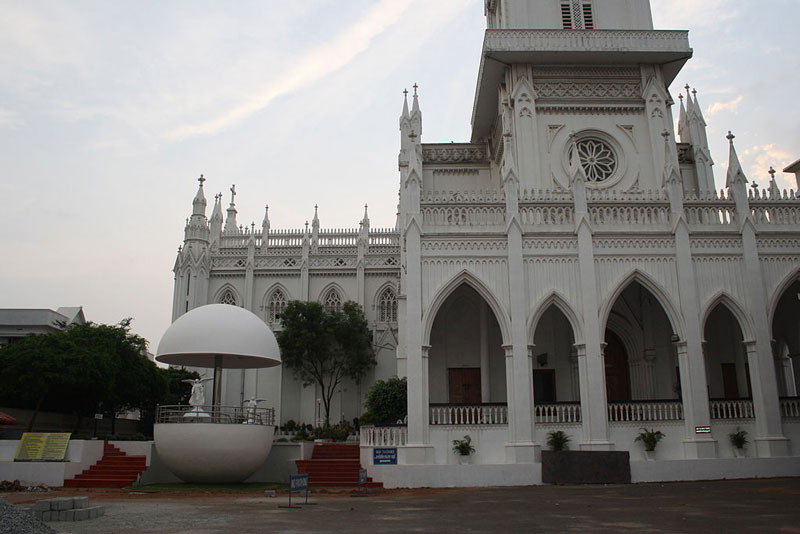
[(334, 465)]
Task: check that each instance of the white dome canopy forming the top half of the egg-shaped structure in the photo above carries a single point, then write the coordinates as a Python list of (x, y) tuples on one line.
[(242, 339)]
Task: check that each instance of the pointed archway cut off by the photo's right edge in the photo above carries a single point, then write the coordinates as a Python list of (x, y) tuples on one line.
[(786, 340)]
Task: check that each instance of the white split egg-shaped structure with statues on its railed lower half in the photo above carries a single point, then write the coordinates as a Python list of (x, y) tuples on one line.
[(206, 443)]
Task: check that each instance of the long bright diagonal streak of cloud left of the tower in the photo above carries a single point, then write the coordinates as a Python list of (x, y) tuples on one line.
[(313, 66)]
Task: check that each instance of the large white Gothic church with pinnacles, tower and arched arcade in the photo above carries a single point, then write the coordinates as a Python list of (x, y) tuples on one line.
[(570, 267)]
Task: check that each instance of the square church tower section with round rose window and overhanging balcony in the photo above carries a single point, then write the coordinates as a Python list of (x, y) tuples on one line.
[(590, 71)]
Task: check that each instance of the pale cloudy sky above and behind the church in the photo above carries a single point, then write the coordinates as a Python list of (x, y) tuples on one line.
[(110, 110)]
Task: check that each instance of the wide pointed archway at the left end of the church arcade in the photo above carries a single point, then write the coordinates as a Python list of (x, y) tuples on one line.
[(466, 359)]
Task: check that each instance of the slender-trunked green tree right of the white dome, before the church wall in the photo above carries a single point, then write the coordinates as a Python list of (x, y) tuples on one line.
[(323, 347)]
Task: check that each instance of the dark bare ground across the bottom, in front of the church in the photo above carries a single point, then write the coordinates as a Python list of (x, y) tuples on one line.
[(763, 505)]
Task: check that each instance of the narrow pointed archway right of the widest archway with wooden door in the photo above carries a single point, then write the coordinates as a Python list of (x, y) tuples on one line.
[(727, 369)]
